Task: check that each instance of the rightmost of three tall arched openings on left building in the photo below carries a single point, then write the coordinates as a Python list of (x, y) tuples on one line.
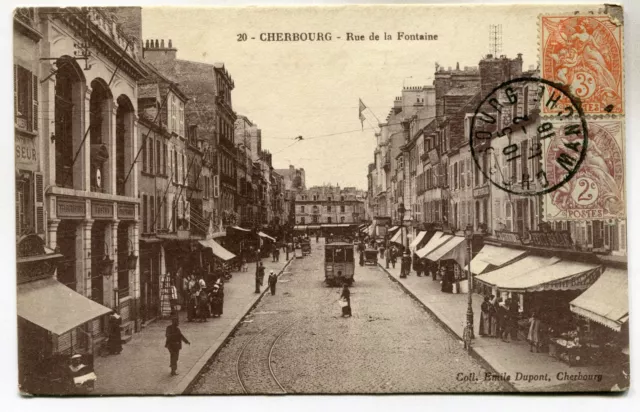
[(124, 150)]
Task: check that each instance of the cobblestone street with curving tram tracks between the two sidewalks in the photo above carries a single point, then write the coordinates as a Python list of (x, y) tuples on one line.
[(296, 342)]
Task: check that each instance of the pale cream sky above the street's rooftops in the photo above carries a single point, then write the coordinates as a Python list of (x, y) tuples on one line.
[(311, 89)]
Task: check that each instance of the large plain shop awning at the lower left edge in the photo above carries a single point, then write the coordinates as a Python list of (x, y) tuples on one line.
[(55, 307)]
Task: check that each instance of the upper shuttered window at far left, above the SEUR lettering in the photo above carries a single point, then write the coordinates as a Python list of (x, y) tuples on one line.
[(25, 99)]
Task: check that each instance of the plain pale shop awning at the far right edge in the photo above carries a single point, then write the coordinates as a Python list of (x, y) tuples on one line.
[(606, 301)]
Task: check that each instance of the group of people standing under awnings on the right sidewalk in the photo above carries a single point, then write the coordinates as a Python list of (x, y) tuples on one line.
[(499, 319)]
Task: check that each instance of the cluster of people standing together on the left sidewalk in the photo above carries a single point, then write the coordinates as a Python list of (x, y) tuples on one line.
[(202, 302)]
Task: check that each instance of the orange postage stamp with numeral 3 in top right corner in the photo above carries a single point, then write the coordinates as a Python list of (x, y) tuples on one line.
[(585, 53)]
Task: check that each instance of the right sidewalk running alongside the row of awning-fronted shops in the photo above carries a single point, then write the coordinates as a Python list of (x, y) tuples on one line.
[(505, 358)]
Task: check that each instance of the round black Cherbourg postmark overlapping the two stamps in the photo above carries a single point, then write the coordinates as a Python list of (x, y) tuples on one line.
[(509, 139)]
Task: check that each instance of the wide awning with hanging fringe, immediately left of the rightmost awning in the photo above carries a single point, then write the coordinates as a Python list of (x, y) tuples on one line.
[(562, 275)]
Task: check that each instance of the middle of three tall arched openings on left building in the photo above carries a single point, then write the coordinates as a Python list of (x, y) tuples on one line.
[(100, 103)]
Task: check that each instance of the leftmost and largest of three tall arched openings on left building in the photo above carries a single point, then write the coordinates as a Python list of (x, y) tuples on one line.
[(68, 109)]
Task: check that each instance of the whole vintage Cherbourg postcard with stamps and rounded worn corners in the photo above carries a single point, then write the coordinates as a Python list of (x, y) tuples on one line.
[(320, 200)]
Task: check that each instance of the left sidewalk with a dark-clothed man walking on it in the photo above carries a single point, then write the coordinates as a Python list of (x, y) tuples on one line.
[(143, 365)]
